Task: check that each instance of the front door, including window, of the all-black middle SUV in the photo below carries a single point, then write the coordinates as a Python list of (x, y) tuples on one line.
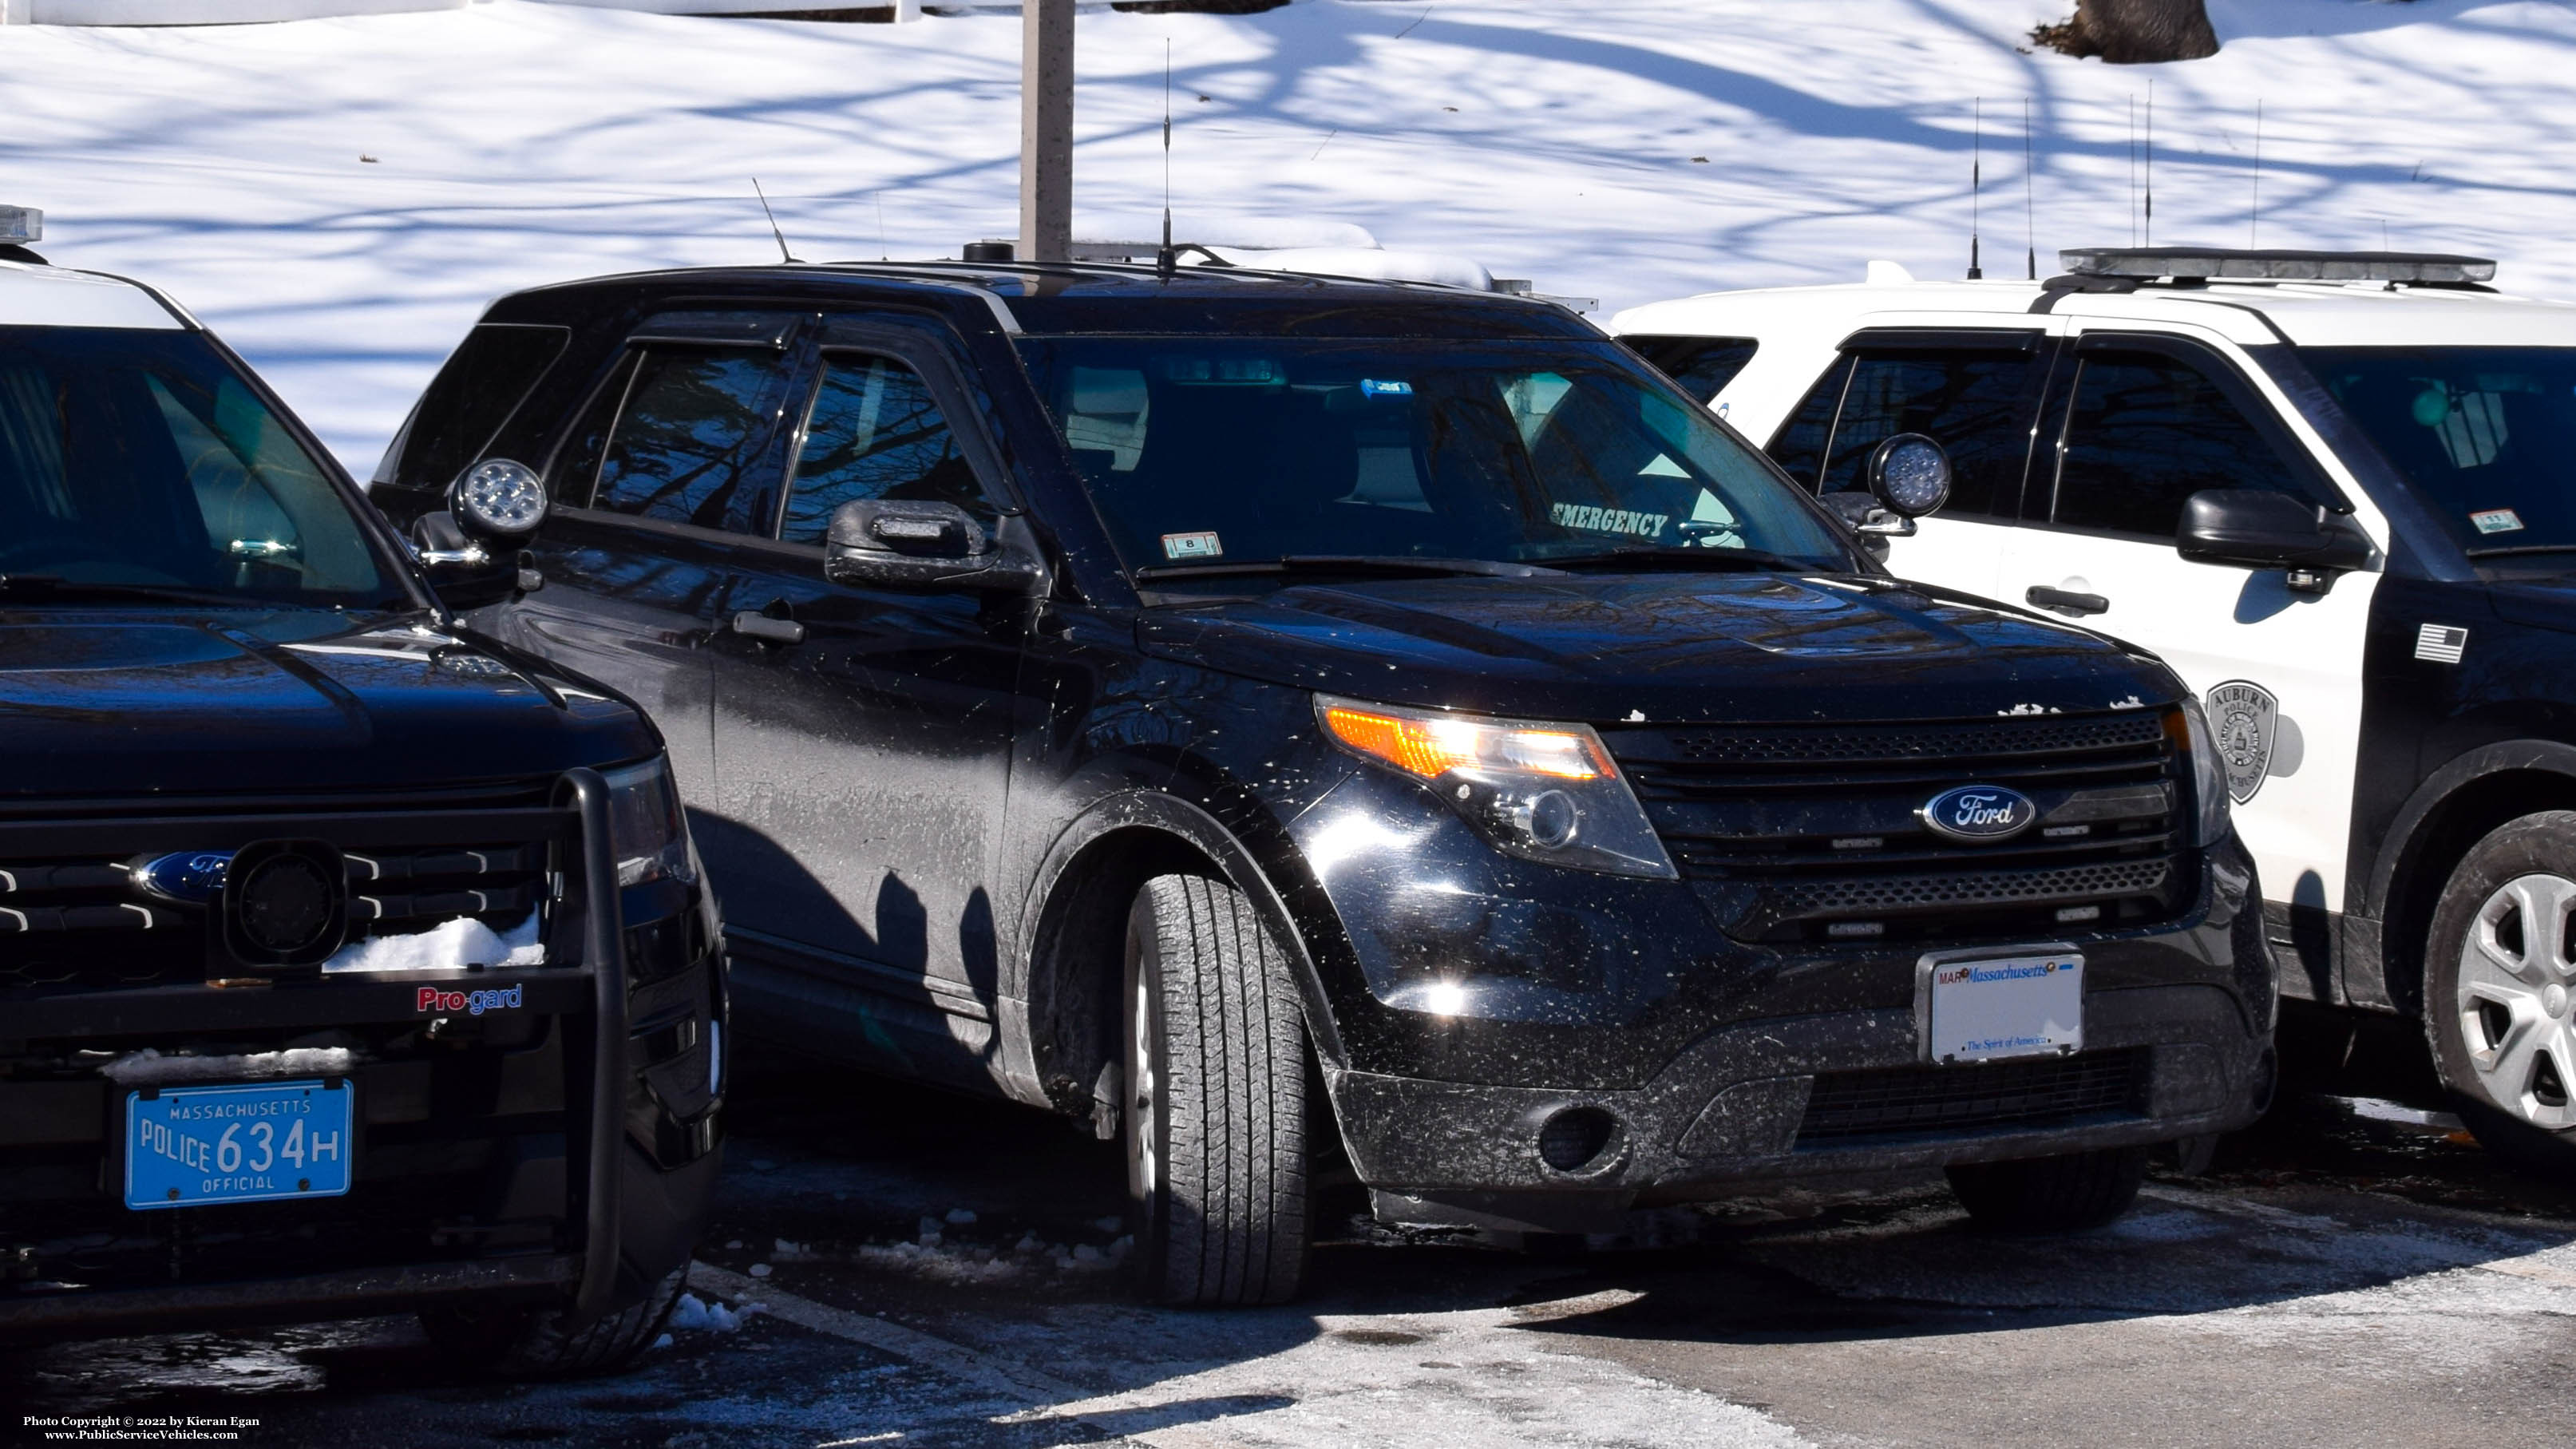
[(864, 734)]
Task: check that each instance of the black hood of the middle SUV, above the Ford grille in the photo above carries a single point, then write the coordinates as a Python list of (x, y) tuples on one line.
[(1663, 648)]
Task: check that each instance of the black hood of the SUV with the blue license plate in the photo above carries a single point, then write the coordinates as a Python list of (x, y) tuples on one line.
[(122, 705)]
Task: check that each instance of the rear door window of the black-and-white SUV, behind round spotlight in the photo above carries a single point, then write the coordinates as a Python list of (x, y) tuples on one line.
[(1977, 404)]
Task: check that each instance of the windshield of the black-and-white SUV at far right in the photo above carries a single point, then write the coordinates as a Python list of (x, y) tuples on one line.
[(2485, 434)]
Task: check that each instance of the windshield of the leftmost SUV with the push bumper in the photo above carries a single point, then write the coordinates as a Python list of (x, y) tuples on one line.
[(138, 460)]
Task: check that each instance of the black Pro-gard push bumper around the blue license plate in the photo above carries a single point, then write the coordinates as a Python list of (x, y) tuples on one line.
[(558, 1151)]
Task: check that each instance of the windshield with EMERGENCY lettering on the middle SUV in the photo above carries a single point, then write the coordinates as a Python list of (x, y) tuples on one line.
[(1209, 452)]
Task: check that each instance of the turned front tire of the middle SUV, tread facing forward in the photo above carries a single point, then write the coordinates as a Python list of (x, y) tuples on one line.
[(1215, 1113)]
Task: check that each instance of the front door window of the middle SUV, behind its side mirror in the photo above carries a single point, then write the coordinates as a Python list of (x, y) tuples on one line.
[(875, 432)]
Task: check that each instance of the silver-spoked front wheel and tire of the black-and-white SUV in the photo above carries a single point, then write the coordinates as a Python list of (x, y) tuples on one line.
[(2500, 991)]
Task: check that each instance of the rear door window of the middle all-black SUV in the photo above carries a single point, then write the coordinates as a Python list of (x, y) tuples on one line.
[(692, 434)]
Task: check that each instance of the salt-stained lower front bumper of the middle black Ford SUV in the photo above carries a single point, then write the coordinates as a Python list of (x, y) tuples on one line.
[(1735, 1113)]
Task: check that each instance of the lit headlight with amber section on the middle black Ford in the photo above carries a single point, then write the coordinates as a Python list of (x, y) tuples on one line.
[(1544, 793)]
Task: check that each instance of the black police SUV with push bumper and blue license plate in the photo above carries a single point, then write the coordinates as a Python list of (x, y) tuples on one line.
[(349, 963)]
